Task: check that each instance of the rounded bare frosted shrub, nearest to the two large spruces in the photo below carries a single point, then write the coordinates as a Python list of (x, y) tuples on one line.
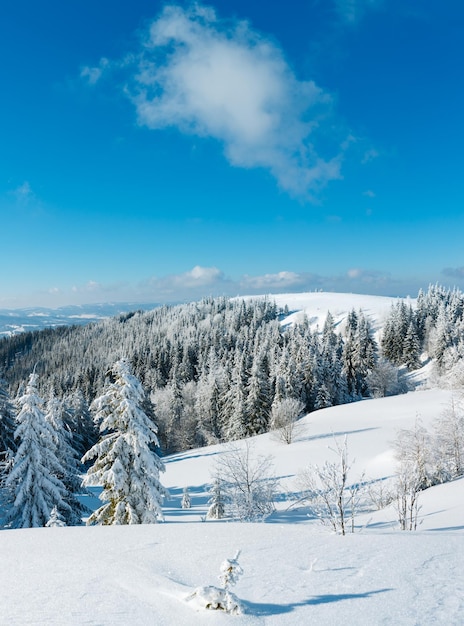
[(249, 483)]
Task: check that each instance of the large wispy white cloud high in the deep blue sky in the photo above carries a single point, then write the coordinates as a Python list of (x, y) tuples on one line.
[(223, 80)]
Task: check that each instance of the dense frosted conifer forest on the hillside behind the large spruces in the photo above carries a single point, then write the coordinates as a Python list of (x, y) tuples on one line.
[(219, 369)]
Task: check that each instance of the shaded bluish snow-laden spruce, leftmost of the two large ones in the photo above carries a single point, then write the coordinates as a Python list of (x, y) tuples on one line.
[(33, 484)]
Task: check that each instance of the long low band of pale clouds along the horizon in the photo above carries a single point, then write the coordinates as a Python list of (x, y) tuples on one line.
[(200, 282)]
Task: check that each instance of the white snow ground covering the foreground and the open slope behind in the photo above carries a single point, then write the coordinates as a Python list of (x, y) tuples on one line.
[(295, 570)]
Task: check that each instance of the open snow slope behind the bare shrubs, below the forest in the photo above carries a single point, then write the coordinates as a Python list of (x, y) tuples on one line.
[(370, 427)]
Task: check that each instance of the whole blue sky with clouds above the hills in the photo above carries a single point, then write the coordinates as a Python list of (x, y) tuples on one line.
[(163, 152)]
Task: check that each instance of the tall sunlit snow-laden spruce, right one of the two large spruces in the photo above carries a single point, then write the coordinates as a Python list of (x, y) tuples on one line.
[(125, 463)]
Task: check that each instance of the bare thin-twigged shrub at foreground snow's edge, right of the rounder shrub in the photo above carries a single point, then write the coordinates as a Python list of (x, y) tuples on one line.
[(326, 489)]
